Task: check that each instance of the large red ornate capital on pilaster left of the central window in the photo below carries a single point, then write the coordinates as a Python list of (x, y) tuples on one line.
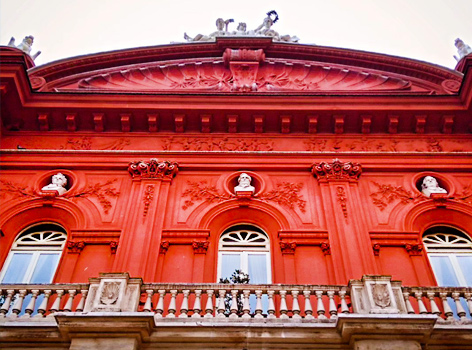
[(154, 169)]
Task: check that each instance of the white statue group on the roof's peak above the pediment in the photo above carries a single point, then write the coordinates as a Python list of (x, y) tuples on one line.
[(265, 29)]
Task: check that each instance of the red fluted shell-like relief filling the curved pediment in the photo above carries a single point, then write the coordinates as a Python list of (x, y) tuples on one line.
[(271, 76)]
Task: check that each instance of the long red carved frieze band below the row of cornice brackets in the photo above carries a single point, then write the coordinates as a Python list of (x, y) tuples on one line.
[(234, 143)]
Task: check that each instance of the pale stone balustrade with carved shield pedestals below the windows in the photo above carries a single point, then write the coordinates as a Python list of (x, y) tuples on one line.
[(303, 303)]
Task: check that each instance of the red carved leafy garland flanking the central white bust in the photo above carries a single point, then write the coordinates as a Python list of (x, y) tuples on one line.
[(285, 194)]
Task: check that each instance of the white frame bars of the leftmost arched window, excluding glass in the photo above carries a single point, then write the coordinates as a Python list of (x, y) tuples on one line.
[(36, 249)]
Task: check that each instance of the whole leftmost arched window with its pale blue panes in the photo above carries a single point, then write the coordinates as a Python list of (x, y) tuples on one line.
[(34, 255)]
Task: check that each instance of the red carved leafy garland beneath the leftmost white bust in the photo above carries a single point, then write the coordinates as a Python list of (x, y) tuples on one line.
[(101, 191)]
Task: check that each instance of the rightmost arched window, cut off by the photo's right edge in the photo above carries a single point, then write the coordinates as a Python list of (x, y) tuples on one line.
[(450, 253)]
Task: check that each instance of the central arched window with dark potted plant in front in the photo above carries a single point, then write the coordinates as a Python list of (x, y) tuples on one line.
[(245, 247)]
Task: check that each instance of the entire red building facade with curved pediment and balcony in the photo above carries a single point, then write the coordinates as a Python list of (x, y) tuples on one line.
[(152, 142)]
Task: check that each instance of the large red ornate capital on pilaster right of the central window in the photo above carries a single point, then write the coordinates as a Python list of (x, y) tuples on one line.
[(336, 171)]
